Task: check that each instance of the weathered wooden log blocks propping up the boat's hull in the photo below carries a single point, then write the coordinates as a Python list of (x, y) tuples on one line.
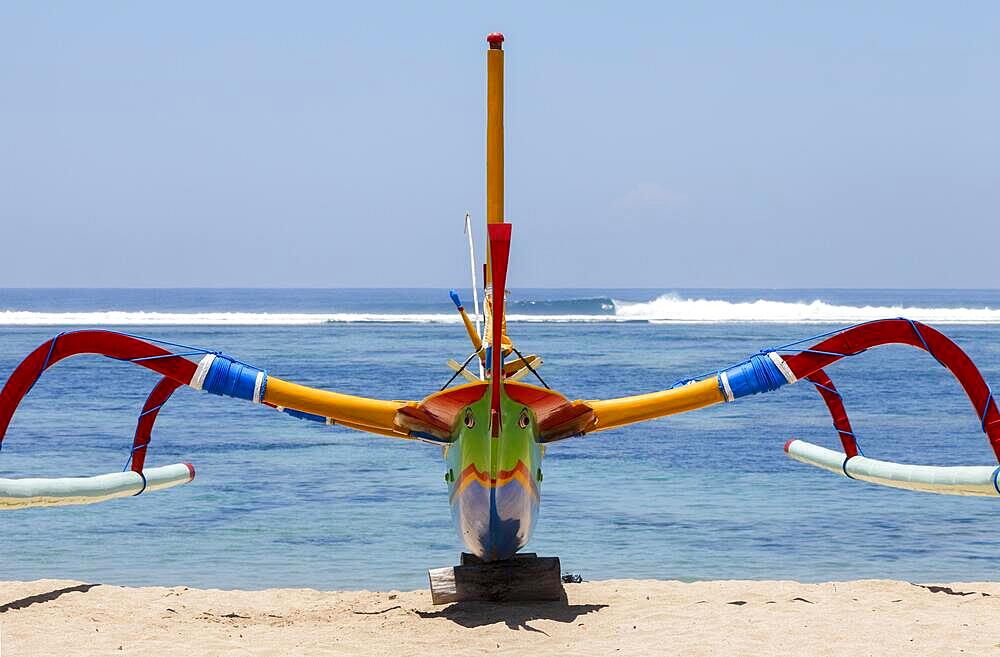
[(525, 578)]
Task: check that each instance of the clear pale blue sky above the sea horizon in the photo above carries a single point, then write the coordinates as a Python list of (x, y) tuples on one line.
[(837, 144)]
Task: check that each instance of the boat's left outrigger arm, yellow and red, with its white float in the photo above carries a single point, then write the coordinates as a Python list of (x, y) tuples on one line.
[(214, 373)]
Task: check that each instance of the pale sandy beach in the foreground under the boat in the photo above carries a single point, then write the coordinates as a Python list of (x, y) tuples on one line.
[(619, 617)]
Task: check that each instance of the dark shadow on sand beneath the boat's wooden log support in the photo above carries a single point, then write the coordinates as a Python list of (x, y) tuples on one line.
[(516, 615)]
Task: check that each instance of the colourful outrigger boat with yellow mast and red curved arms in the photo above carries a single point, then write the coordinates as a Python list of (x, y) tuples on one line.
[(495, 428)]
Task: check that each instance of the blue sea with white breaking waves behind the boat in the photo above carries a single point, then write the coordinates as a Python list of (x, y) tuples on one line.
[(279, 502)]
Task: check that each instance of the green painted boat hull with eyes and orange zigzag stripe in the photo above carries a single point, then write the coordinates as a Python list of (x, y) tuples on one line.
[(494, 482)]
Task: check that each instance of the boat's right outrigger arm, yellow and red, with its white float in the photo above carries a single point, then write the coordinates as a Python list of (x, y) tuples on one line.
[(769, 370)]
